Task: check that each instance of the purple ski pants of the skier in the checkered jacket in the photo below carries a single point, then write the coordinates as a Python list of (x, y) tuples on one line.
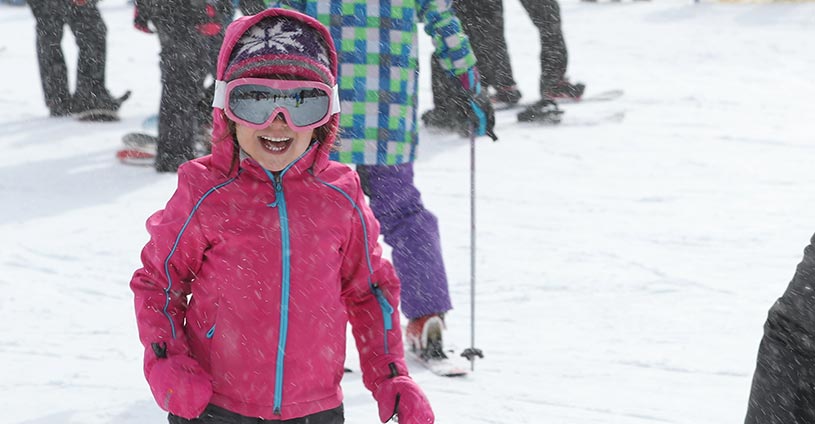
[(413, 234)]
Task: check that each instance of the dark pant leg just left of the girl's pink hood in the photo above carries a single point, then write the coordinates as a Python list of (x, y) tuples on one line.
[(183, 67)]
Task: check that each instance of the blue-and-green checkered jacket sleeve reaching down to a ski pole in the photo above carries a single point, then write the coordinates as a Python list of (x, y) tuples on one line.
[(452, 45)]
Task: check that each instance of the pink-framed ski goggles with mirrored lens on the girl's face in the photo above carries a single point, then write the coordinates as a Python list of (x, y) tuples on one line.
[(256, 102)]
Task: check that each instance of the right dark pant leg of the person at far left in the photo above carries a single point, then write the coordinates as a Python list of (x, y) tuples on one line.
[(90, 32)]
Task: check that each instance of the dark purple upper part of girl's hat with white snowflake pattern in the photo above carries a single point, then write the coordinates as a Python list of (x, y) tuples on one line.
[(278, 36)]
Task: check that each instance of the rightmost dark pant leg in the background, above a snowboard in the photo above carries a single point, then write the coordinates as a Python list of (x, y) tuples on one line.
[(545, 15)]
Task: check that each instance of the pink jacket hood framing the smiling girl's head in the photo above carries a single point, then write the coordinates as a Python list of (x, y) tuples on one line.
[(223, 147)]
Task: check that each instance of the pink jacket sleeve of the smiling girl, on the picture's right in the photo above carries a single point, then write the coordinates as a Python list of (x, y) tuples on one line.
[(371, 294)]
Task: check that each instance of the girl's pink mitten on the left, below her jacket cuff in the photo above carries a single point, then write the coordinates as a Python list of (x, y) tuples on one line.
[(180, 386)]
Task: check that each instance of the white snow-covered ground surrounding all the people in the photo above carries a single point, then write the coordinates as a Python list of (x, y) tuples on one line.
[(624, 269)]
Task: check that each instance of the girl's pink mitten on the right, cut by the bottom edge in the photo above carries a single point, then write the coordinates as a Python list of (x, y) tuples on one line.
[(401, 396)]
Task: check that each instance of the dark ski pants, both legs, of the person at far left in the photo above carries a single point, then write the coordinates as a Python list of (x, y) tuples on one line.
[(90, 32)]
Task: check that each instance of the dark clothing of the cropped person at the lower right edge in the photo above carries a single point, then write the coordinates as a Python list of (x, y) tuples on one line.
[(783, 389)]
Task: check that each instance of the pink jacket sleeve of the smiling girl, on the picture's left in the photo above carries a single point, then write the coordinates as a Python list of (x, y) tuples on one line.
[(170, 260)]
